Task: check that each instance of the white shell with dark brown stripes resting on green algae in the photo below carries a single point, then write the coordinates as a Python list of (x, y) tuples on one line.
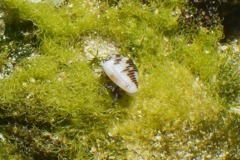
[(123, 72)]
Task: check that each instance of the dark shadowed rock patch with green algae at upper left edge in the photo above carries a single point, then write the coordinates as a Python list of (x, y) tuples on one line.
[(18, 39)]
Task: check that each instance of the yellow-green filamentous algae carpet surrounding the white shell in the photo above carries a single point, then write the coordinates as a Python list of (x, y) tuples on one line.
[(54, 106)]
